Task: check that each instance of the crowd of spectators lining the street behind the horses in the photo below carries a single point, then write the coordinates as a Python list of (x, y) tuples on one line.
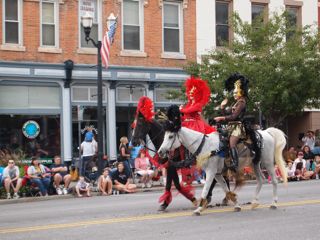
[(134, 165)]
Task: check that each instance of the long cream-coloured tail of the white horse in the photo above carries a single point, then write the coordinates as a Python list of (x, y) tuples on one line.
[(280, 143)]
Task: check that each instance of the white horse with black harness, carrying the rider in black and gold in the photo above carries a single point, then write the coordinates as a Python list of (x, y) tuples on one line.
[(274, 142)]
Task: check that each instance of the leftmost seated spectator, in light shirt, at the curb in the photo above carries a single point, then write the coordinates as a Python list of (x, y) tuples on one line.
[(11, 179)]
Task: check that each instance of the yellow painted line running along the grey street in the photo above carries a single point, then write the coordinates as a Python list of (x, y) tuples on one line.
[(145, 217)]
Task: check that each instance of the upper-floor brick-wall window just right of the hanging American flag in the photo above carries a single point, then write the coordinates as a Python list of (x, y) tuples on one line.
[(132, 29)]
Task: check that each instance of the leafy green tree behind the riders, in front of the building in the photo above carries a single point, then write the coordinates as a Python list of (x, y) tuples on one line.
[(281, 63)]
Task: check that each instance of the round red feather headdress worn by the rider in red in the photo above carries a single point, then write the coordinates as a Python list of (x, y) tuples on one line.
[(202, 91)]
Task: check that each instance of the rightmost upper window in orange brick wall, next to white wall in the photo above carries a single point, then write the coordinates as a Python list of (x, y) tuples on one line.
[(172, 27)]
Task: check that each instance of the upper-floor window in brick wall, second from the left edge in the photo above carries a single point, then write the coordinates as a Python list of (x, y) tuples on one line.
[(49, 23)]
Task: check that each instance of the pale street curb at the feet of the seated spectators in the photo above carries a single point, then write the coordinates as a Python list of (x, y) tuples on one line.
[(94, 194)]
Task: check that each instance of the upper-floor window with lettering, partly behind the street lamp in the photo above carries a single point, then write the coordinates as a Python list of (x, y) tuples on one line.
[(92, 7)]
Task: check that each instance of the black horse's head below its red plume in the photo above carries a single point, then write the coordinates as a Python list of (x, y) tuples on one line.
[(141, 129)]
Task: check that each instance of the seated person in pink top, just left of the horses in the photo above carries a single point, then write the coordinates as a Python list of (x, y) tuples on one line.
[(143, 169)]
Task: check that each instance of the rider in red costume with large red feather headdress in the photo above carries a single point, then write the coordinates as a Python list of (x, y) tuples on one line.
[(198, 93)]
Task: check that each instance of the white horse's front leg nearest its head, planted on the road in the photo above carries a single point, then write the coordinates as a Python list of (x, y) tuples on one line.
[(210, 170)]
